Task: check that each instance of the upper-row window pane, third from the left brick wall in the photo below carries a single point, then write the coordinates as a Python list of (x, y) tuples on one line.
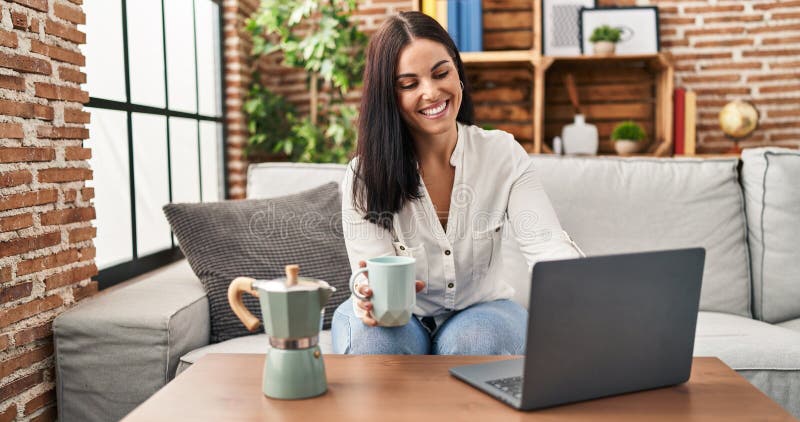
[(180, 55)]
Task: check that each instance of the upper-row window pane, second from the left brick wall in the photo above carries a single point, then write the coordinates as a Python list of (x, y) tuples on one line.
[(146, 51)]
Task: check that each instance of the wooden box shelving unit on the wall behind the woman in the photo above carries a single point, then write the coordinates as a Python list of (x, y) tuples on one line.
[(611, 89)]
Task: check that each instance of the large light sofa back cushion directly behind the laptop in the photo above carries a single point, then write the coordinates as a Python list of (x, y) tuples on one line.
[(614, 205)]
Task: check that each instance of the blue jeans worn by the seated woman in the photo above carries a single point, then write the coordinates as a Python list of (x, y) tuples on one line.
[(490, 328)]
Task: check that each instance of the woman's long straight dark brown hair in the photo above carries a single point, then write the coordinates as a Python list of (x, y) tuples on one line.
[(386, 174)]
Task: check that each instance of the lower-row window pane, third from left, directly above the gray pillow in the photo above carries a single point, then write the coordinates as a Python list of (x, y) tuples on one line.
[(185, 170)]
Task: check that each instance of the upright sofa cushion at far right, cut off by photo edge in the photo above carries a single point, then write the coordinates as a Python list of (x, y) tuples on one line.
[(771, 180)]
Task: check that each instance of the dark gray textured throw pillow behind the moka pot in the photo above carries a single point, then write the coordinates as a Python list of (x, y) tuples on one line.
[(257, 238)]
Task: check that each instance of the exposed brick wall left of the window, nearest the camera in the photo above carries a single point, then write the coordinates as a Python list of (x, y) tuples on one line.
[(46, 248)]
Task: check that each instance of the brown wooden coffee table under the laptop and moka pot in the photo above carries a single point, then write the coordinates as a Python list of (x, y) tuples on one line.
[(227, 387)]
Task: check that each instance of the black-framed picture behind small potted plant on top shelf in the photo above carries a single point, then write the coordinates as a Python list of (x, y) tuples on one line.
[(639, 26)]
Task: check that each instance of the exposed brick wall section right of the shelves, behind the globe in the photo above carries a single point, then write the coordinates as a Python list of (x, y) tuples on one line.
[(738, 49)]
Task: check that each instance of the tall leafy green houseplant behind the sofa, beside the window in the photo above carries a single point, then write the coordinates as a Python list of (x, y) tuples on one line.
[(320, 37)]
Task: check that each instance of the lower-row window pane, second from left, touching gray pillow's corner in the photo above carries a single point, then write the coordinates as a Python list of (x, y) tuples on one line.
[(151, 173)]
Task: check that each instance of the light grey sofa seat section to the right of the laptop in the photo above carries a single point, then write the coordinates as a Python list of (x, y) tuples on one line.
[(767, 355)]
